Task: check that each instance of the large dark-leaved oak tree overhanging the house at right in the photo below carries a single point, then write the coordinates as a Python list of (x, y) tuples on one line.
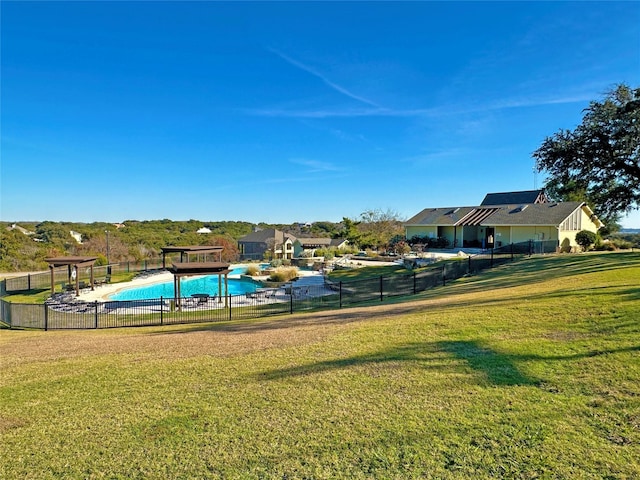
[(599, 161)]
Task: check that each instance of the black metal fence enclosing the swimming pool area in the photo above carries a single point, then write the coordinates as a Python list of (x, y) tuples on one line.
[(62, 311)]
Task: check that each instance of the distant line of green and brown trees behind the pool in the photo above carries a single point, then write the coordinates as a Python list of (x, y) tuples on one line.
[(26, 247)]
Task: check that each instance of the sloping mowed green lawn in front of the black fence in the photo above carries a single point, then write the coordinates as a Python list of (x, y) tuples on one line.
[(531, 370)]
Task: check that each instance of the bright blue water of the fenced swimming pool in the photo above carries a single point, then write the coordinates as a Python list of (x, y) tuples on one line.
[(206, 284)]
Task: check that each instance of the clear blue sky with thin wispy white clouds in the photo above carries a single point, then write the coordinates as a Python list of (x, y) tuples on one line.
[(286, 112)]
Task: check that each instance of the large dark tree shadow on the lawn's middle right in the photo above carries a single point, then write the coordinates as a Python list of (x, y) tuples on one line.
[(495, 368)]
